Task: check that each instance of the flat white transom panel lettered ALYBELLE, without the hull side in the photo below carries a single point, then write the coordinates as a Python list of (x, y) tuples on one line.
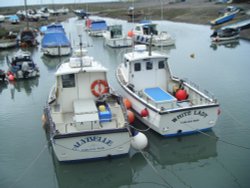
[(92, 146)]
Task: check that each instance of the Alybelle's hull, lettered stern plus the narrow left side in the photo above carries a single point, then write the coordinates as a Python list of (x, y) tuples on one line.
[(87, 145)]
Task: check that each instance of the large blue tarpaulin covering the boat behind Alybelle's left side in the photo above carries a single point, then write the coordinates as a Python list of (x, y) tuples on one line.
[(55, 36)]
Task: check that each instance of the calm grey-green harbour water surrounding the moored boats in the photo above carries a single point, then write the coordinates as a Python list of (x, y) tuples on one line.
[(200, 160)]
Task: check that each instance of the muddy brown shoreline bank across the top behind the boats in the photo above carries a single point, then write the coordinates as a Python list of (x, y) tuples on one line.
[(193, 11)]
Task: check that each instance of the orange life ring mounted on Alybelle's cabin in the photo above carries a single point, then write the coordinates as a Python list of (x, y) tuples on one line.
[(99, 87)]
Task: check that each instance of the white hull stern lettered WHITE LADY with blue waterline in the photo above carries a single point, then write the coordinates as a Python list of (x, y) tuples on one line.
[(184, 122)]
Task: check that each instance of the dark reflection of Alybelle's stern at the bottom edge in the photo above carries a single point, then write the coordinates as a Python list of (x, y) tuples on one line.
[(105, 173)]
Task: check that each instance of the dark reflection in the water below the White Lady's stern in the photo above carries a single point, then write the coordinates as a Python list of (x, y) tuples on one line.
[(181, 149)]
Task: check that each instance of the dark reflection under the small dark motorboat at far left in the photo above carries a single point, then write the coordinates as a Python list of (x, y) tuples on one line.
[(23, 86)]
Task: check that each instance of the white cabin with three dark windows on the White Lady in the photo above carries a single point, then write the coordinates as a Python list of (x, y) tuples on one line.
[(138, 67)]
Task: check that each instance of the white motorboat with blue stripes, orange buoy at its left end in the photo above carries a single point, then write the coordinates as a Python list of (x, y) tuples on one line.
[(146, 29)]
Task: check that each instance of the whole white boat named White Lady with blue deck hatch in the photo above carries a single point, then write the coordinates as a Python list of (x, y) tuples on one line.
[(168, 105)]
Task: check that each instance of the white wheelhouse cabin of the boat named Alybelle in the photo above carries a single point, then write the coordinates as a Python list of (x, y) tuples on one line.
[(74, 81)]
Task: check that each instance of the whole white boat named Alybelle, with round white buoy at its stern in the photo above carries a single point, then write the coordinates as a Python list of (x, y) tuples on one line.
[(84, 117)]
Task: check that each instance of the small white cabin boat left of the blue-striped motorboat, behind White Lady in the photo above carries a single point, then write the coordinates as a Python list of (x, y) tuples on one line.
[(114, 37)]
